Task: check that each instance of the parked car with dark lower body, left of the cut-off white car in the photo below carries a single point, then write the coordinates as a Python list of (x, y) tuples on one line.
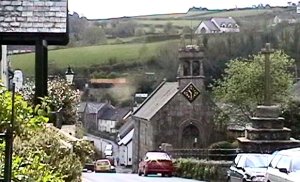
[(249, 167)]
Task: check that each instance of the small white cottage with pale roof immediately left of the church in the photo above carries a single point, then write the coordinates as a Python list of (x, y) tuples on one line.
[(125, 149)]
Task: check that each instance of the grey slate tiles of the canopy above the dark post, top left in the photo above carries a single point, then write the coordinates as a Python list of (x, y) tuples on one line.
[(34, 16)]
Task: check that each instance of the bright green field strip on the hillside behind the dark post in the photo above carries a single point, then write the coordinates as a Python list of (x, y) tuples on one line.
[(88, 56)]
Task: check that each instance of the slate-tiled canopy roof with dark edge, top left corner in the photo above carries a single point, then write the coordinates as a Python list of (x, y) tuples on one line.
[(22, 22)]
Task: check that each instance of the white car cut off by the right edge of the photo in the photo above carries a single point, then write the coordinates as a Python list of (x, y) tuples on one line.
[(285, 166)]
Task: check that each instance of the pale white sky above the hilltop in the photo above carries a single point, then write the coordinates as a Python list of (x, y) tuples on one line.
[(101, 9)]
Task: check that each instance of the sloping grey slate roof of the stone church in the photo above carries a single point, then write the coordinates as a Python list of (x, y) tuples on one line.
[(161, 96)]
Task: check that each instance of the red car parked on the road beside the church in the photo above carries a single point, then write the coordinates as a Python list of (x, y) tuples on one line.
[(156, 162)]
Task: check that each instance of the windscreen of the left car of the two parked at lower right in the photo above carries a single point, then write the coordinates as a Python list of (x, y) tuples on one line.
[(257, 161)]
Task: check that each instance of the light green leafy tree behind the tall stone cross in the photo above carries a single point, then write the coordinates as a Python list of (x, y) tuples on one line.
[(243, 83)]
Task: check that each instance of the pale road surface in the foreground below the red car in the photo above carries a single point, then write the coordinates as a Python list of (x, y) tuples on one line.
[(117, 177)]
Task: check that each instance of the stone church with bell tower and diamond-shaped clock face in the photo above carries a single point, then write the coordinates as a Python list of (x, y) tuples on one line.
[(179, 113)]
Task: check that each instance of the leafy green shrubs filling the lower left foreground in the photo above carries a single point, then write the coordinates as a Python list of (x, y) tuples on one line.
[(40, 154)]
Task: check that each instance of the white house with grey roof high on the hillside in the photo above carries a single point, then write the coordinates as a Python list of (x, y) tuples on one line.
[(218, 25)]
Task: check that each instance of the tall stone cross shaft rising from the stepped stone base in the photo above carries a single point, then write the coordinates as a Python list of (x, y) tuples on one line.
[(267, 51)]
